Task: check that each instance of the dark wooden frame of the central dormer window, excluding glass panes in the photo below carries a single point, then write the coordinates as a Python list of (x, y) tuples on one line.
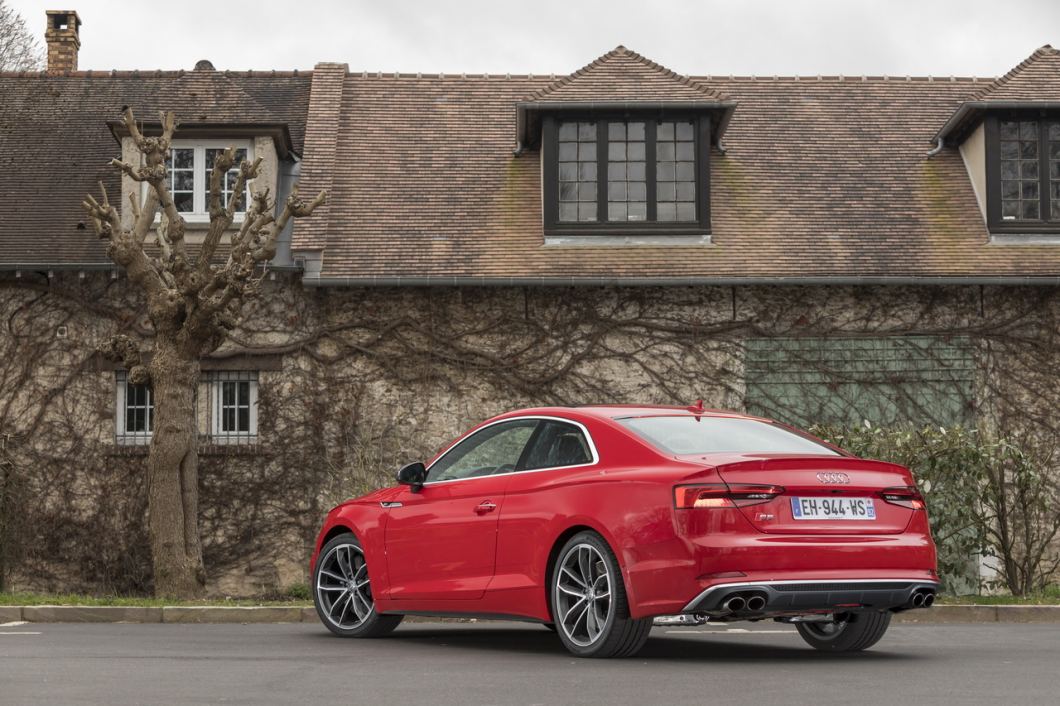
[(551, 175)]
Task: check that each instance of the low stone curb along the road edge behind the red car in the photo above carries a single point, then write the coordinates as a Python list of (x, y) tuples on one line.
[(274, 614)]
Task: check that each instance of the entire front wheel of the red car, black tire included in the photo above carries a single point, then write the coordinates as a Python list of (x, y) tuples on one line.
[(342, 592)]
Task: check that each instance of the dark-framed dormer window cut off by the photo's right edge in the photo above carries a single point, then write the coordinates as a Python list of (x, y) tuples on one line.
[(1023, 173)]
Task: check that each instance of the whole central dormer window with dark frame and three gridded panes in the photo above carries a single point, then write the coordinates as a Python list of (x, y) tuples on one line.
[(624, 174)]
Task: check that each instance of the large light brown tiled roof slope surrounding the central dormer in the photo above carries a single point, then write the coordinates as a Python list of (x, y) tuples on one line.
[(823, 178)]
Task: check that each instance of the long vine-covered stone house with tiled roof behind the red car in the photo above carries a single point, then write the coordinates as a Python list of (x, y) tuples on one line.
[(824, 250)]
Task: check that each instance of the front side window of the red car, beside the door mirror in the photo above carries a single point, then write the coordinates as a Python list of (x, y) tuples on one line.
[(494, 450)]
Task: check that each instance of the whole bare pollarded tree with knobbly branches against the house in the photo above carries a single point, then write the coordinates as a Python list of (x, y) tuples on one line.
[(193, 304)]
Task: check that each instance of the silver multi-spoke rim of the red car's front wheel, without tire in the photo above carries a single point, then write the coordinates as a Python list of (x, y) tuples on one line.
[(344, 590)]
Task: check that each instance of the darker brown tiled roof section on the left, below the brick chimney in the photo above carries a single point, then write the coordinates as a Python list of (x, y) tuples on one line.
[(56, 144)]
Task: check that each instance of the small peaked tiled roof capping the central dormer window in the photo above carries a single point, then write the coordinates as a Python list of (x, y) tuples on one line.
[(624, 76)]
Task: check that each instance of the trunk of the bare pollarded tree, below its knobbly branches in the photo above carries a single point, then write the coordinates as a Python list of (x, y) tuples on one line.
[(173, 475)]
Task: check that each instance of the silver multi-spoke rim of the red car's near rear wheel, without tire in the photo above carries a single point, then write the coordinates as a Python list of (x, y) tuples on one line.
[(584, 594)]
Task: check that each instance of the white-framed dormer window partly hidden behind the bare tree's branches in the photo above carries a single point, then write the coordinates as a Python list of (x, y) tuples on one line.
[(190, 165)]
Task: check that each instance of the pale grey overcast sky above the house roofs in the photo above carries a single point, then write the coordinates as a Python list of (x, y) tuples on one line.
[(896, 38)]
